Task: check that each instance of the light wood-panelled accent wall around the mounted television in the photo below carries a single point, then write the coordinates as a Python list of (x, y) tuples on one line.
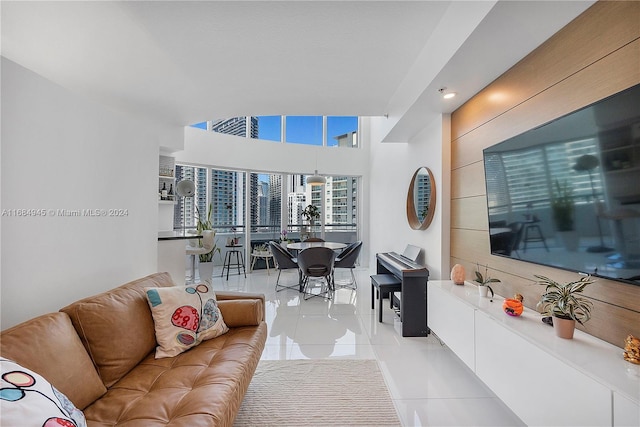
[(596, 55)]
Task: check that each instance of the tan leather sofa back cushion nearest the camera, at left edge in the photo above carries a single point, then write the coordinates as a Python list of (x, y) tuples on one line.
[(66, 365)]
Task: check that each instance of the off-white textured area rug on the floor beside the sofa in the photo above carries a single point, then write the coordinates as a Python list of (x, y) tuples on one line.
[(317, 393)]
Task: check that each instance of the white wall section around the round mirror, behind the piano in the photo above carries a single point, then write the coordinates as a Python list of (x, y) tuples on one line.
[(392, 166)]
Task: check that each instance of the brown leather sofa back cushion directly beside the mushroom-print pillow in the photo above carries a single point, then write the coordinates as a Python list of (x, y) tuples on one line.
[(116, 326)]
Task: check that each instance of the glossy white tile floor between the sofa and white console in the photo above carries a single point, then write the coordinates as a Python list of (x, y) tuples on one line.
[(429, 385)]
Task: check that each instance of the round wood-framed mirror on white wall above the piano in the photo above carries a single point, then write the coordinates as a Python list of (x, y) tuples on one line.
[(421, 199)]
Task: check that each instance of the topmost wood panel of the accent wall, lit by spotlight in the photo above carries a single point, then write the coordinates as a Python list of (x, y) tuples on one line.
[(600, 30)]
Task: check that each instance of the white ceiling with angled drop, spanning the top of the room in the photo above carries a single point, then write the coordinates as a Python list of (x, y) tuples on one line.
[(184, 62)]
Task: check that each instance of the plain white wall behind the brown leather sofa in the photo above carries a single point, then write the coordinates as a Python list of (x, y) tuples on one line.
[(61, 151)]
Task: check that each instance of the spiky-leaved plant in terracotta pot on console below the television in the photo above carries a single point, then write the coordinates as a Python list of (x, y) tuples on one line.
[(565, 304)]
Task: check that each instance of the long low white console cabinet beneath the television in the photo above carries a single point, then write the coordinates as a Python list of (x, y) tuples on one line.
[(545, 380)]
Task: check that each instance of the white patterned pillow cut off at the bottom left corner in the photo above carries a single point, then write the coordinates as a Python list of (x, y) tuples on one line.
[(27, 399)]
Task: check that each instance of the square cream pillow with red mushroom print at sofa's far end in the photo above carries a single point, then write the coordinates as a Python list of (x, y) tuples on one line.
[(184, 316)]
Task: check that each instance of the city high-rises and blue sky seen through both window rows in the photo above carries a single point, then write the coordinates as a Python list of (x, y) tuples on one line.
[(224, 191)]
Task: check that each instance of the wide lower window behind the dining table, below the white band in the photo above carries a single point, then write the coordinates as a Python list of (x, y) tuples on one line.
[(228, 195)]
